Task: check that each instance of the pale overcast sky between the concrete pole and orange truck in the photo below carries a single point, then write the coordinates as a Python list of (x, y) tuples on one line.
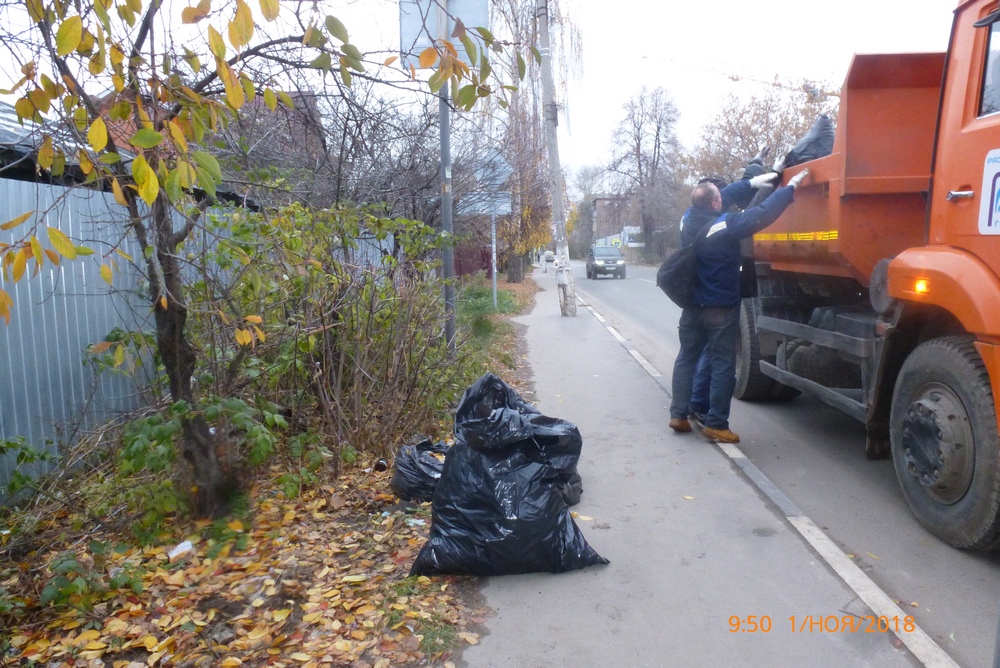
[(701, 57)]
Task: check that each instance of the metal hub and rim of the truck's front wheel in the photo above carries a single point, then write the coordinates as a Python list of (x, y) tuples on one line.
[(938, 444)]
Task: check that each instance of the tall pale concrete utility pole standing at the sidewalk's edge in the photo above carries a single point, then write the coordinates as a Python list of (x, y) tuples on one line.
[(564, 273)]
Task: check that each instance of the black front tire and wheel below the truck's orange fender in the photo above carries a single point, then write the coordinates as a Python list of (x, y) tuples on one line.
[(945, 446)]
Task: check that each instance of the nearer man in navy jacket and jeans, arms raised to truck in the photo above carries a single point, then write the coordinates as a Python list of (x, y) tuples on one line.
[(712, 325)]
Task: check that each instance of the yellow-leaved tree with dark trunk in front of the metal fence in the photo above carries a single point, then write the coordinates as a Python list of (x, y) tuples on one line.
[(128, 95)]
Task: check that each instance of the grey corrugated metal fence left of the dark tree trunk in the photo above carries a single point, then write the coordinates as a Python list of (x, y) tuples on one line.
[(47, 389)]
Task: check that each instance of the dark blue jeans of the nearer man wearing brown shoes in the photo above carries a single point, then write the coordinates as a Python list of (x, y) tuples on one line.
[(716, 331)]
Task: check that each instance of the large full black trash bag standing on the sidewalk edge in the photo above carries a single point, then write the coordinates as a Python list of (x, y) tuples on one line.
[(498, 508)]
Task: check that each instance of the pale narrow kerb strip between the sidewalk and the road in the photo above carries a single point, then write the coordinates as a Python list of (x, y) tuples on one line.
[(920, 644)]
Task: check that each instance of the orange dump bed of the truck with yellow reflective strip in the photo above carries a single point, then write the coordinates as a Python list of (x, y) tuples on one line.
[(868, 199)]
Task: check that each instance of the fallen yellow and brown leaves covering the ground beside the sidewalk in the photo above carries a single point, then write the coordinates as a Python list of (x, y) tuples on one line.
[(317, 580)]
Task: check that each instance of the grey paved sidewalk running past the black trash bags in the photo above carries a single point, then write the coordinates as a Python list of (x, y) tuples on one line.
[(692, 543)]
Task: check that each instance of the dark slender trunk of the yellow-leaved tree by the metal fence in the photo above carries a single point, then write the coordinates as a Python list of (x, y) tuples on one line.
[(213, 483)]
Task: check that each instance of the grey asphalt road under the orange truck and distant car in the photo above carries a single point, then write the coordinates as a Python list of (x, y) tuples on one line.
[(814, 454)]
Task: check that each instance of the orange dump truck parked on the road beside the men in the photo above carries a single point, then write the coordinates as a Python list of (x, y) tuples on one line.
[(879, 287)]
